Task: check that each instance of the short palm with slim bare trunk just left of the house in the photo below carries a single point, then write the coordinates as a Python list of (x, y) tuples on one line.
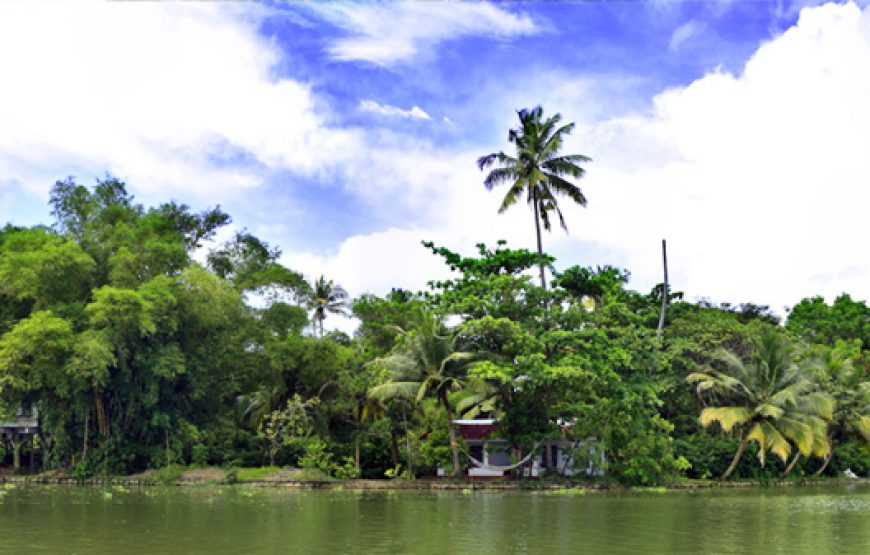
[(426, 364)]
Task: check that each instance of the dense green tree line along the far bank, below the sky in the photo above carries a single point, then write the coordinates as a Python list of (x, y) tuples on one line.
[(138, 356)]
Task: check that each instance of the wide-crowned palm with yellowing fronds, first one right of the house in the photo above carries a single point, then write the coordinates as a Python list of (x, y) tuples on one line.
[(769, 399)]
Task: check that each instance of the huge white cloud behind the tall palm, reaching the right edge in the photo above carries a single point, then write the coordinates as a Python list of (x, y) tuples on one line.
[(757, 180)]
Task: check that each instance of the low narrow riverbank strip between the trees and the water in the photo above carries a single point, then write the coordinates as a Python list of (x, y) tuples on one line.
[(285, 479)]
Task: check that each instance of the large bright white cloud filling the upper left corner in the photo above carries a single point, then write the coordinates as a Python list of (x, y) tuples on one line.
[(161, 94)]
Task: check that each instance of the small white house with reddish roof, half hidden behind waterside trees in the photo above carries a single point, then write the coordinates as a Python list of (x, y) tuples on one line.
[(490, 456)]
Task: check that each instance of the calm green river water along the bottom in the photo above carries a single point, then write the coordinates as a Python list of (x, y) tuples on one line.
[(245, 520)]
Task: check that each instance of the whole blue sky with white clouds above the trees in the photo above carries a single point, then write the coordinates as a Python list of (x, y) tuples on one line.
[(347, 133)]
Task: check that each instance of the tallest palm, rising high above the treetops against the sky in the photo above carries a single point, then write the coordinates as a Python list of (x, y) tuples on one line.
[(537, 170)]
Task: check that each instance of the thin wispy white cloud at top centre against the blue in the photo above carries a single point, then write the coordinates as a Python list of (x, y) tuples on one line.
[(390, 33)]
